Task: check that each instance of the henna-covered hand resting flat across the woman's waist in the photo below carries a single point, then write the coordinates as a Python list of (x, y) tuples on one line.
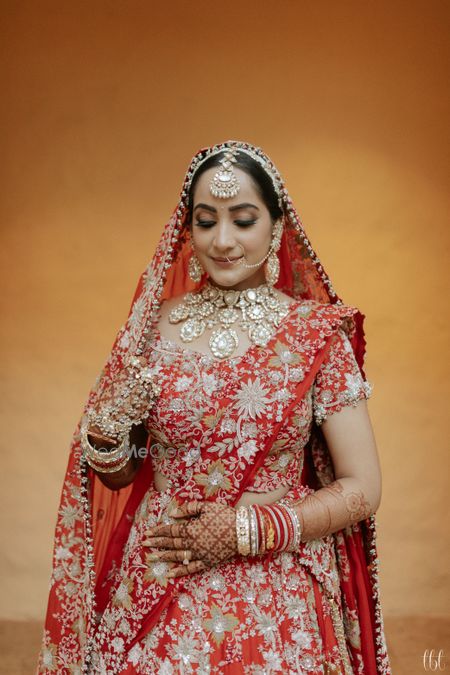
[(205, 537)]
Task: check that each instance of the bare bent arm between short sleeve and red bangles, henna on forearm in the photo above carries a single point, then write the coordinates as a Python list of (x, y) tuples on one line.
[(356, 492)]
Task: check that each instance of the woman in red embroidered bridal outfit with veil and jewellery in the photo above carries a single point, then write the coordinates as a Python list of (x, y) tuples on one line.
[(217, 514)]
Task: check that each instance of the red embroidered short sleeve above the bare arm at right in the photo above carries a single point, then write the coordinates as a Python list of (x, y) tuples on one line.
[(339, 381)]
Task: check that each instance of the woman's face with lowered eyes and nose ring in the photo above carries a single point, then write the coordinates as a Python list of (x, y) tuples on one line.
[(231, 228)]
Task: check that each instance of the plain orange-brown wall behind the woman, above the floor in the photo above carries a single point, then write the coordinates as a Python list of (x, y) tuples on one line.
[(104, 103)]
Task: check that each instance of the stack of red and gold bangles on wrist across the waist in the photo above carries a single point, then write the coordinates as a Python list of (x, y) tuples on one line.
[(268, 528)]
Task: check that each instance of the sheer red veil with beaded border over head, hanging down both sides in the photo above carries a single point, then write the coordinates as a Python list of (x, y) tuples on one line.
[(93, 522)]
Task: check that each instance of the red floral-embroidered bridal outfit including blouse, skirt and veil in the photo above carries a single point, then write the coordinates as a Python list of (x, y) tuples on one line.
[(219, 428)]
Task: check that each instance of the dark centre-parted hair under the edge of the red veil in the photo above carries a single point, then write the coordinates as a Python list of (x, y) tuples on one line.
[(262, 181)]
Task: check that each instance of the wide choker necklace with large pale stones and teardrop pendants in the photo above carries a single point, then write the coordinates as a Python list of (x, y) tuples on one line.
[(258, 310)]
